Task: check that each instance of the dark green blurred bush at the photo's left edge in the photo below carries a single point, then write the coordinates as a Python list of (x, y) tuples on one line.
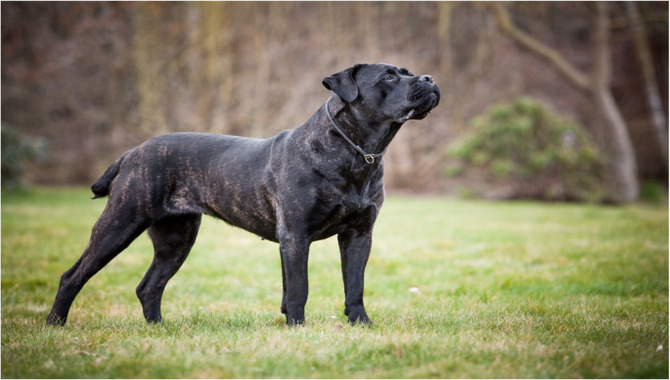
[(16, 150)]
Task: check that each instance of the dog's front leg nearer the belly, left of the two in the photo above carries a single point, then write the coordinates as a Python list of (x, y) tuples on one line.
[(294, 254)]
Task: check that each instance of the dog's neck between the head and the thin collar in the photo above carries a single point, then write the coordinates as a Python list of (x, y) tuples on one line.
[(370, 137)]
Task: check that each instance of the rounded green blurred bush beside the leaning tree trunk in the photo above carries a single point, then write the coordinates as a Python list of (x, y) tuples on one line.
[(528, 150)]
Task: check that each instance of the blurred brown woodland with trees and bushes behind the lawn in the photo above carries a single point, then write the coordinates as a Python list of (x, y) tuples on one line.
[(552, 101)]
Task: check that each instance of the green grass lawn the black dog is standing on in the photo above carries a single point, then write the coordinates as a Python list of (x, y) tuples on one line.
[(526, 290)]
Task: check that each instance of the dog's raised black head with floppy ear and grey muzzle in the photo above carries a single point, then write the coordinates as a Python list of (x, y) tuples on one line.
[(385, 92)]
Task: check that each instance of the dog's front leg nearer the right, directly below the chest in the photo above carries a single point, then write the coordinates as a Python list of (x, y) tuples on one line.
[(354, 251)]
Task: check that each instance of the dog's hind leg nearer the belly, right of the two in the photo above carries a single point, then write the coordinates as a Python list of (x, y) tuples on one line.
[(173, 238)]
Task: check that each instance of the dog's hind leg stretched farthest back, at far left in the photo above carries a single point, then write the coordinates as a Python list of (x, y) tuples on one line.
[(111, 235)]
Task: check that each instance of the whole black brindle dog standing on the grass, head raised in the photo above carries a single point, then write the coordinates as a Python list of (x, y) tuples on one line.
[(320, 179)]
